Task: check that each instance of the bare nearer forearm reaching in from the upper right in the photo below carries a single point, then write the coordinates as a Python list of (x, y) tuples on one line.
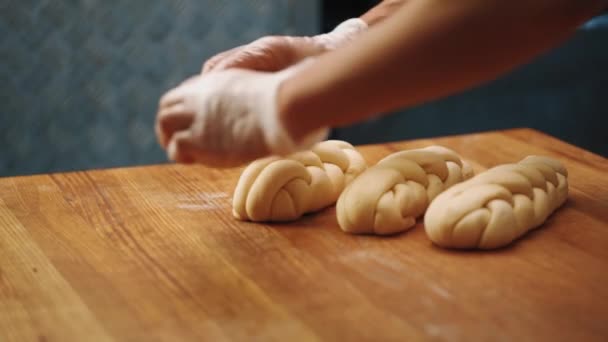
[(428, 49)]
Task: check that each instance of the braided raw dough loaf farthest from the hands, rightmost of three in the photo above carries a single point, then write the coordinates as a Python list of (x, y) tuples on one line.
[(497, 206)]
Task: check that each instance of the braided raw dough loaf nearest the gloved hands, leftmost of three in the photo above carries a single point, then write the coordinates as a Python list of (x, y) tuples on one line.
[(283, 189)]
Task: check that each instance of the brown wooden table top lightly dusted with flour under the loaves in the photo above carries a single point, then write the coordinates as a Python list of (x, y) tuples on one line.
[(153, 253)]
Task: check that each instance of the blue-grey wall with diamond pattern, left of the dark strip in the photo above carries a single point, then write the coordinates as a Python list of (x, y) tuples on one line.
[(81, 78)]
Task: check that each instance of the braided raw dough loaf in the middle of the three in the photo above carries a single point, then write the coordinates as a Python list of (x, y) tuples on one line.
[(388, 197)]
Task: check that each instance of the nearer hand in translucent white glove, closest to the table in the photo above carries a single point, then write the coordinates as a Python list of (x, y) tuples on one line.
[(227, 118)]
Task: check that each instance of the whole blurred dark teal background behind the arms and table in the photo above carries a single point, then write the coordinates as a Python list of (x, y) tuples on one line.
[(81, 78)]
